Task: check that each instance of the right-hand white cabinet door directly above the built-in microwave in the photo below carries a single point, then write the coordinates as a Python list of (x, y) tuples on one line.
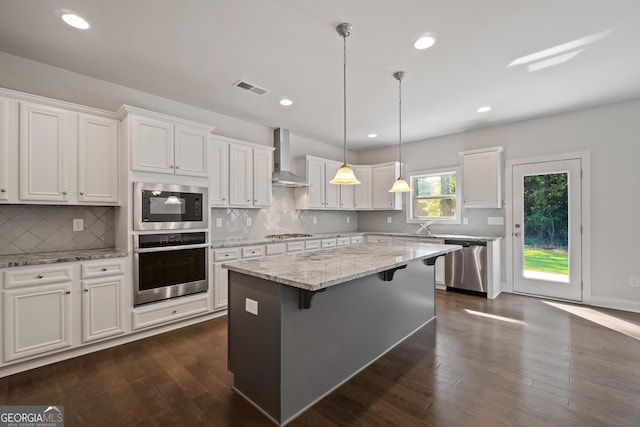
[(190, 150)]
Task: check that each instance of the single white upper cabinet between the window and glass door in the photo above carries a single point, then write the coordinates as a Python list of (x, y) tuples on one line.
[(482, 178)]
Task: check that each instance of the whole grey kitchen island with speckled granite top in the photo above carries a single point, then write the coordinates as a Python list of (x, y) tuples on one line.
[(300, 325)]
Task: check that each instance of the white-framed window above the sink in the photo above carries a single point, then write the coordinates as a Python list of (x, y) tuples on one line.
[(435, 197)]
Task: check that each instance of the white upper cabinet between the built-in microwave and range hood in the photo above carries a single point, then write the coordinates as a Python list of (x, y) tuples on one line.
[(249, 175)]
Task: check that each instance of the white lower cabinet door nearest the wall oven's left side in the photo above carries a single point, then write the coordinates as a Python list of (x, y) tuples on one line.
[(102, 308)]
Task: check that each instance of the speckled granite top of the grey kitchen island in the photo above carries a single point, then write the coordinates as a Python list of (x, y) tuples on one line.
[(321, 269)]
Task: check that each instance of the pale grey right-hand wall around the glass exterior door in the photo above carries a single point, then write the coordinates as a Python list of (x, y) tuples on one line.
[(612, 135)]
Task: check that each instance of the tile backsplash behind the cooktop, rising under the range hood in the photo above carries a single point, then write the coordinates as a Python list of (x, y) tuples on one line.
[(281, 217)]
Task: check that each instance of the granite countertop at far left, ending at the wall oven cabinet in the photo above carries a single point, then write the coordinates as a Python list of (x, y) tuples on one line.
[(41, 258)]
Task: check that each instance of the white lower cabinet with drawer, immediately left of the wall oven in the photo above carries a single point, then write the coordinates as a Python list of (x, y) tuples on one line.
[(102, 300)]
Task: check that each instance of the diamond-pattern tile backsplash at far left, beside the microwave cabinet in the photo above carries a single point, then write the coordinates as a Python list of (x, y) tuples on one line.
[(36, 228)]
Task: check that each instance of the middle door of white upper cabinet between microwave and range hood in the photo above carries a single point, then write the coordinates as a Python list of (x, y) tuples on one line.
[(241, 175)]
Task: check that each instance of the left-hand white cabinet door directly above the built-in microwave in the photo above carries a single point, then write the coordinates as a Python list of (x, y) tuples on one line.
[(151, 145)]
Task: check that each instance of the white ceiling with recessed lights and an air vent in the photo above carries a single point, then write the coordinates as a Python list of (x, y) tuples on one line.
[(193, 51)]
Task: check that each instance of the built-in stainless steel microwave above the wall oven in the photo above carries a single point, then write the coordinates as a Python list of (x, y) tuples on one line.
[(169, 207)]
